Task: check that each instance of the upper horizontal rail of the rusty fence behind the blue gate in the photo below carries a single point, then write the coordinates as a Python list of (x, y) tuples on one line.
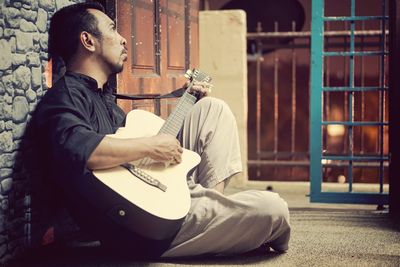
[(306, 34)]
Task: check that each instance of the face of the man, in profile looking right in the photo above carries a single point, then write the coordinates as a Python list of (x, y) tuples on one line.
[(111, 47)]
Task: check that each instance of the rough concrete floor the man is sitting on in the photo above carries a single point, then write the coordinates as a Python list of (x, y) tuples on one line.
[(322, 235)]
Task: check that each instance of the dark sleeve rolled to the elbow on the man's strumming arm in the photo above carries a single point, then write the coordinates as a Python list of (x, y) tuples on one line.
[(70, 133)]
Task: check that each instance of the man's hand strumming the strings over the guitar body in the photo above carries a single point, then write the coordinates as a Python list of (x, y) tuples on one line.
[(166, 148)]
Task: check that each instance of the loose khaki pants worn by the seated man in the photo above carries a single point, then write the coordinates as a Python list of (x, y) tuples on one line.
[(219, 224)]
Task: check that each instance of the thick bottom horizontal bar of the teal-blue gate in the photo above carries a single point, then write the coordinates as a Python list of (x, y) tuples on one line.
[(351, 198)]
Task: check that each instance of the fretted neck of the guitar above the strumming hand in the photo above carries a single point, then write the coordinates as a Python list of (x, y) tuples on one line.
[(174, 122)]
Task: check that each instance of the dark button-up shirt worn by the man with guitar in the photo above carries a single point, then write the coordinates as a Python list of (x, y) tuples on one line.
[(68, 124)]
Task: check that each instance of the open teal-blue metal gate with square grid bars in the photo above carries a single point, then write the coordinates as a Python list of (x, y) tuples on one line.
[(317, 157)]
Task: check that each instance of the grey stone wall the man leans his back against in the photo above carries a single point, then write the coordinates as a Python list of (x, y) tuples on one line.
[(23, 59)]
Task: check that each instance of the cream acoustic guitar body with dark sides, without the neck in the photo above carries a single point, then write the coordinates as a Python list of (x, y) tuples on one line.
[(146, 209)]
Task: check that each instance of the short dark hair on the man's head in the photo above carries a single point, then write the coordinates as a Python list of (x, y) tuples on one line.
[(67, 24)]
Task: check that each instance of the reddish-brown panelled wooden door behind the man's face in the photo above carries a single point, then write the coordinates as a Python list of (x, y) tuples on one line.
[(162, 42)]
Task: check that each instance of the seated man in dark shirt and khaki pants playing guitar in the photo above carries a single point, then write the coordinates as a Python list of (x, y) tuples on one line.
[(76, 114)]
